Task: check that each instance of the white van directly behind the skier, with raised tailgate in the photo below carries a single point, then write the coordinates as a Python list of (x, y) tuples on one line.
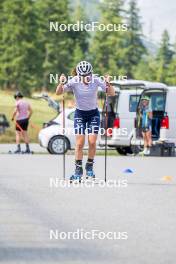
[(121, 114)]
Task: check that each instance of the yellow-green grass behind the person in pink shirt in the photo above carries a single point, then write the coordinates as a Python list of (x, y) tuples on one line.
[(41, 113)]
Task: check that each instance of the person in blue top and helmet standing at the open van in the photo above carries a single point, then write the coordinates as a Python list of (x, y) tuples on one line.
[(146, 117)]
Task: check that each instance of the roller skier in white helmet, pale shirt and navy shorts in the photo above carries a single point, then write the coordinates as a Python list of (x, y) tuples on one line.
[(84, 86)]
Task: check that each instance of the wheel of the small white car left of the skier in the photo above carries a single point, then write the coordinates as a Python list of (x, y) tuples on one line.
[(56, 145)]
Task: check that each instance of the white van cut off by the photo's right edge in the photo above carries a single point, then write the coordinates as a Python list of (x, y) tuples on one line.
[(163, 105)]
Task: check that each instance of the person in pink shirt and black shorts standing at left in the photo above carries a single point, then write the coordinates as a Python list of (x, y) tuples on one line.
[(21, 115)]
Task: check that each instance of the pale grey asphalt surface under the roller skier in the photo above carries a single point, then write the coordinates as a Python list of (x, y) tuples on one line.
[(144, 209)]
